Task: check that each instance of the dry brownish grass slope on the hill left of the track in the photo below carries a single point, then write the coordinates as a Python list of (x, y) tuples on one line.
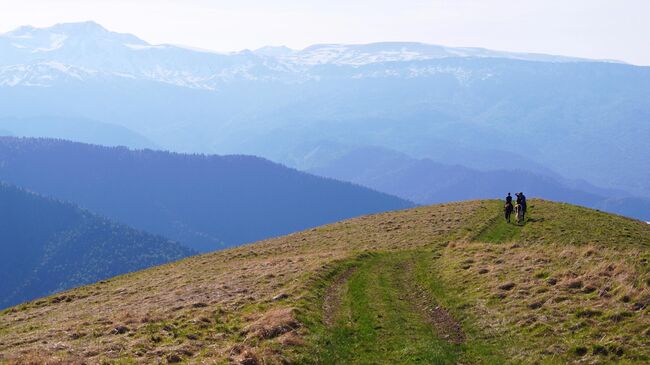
[(201, 309)]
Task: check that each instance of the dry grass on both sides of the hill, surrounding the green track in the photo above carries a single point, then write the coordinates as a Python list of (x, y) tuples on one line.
[(572, 285)]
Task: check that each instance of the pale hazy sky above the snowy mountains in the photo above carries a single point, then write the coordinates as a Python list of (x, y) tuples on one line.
[(612, 29)]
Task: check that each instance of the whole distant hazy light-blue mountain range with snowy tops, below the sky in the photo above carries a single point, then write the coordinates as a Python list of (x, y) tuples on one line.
[(552, 116)]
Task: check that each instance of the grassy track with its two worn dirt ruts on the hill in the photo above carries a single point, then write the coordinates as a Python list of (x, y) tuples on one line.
[(379, 313)]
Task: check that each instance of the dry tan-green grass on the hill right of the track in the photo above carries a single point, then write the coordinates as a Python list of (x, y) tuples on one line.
[(581, 296)]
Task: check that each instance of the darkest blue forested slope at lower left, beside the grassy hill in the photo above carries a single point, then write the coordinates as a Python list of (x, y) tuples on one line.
[(48, 246)]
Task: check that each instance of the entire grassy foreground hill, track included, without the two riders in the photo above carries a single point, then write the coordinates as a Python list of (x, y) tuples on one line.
[(446, 284)]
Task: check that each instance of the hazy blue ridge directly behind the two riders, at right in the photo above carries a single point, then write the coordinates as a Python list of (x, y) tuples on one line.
[(426, 182)]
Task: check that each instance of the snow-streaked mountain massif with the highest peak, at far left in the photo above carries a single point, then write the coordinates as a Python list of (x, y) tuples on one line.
[(28, 53)]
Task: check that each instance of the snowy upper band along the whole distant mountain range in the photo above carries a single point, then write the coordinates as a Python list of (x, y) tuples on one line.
[(78, 51)]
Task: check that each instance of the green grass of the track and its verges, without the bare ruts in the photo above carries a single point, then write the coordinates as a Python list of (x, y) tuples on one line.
[(378, 324)]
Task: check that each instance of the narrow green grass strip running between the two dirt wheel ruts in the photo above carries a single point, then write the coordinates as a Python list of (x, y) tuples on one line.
[(382, 327)]
